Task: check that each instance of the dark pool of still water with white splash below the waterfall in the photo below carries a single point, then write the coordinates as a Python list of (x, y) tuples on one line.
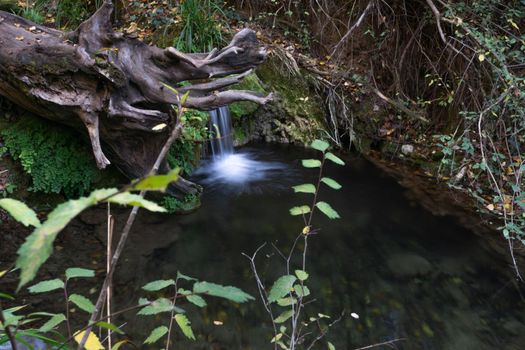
[(407, 274)]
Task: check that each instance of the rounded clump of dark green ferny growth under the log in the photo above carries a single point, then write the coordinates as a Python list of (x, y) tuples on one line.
[(54, 157)]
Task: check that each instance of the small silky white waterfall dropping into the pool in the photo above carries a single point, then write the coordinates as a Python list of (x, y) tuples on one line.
[(221, 132)]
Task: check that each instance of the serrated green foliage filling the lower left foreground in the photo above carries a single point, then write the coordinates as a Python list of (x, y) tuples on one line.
[(17, 328)]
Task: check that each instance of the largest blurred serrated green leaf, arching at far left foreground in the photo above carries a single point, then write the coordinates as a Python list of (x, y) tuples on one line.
[(38, 246)]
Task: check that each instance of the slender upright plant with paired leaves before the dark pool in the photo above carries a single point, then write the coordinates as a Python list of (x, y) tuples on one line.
[(286, 299)]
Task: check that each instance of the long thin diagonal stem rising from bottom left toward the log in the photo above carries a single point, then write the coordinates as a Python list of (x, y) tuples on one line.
[(177, 129)]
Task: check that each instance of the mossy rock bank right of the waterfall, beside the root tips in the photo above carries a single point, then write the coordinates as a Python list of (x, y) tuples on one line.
[(296, 114)]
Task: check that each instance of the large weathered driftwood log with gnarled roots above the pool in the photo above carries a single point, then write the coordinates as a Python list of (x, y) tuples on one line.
[(116, 87)]
